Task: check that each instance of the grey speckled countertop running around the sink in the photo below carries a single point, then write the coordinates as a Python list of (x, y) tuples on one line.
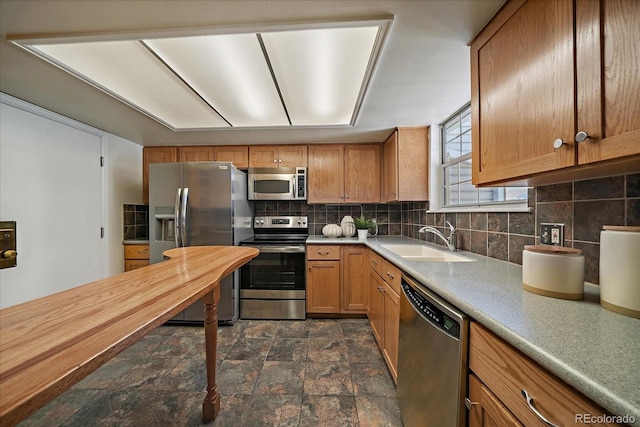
[(593, 349)]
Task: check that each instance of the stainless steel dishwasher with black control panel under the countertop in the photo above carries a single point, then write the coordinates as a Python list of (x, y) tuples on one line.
[(432, 359)]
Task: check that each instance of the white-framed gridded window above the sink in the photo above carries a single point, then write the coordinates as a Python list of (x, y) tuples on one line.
[(456, 167)]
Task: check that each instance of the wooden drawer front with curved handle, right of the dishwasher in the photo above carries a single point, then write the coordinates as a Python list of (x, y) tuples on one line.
[(506, 372)]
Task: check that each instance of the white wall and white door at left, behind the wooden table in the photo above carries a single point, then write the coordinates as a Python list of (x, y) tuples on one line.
[(50, 185)]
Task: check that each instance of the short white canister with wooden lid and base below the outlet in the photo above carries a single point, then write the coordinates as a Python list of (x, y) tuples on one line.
[(553, 271)]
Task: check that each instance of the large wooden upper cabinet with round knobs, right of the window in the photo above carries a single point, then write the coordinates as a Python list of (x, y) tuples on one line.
[(532, 107)]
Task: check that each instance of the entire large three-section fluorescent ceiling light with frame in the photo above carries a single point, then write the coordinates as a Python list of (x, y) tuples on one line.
[(303, 77)]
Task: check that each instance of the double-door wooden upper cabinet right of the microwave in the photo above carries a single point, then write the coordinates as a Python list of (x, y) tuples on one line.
[(344, 173)]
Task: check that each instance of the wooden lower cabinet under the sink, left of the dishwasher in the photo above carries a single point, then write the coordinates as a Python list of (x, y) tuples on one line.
[(384, 309)]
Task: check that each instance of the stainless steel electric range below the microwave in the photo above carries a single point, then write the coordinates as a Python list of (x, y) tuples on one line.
[(272, 285)]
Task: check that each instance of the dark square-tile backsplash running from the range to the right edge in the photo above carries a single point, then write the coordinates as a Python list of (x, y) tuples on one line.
[(583, 206)]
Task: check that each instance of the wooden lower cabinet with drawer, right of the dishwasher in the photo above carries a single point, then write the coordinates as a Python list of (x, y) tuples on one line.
[(501, 374)]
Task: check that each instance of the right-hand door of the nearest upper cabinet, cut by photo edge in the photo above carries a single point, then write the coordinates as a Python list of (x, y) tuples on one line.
[(608, 59)]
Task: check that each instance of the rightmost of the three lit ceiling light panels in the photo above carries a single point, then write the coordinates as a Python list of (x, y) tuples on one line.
[(321, 71)]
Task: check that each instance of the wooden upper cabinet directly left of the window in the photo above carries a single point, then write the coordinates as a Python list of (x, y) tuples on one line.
[(405, 165)]
